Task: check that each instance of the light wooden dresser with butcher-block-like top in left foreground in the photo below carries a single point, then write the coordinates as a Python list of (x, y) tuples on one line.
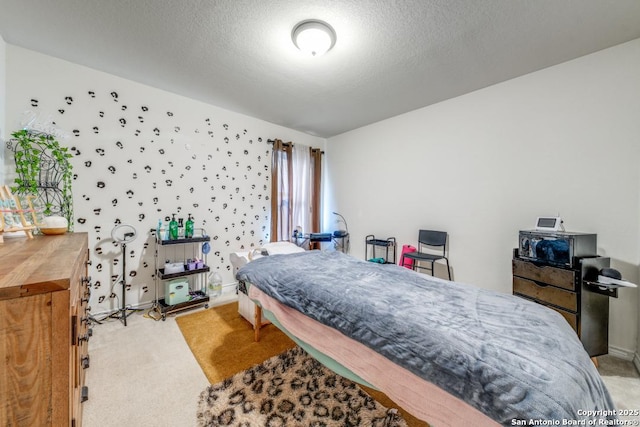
[(44, 292)]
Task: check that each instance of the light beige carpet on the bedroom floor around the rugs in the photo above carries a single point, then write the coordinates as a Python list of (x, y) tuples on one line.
[(144, 374)]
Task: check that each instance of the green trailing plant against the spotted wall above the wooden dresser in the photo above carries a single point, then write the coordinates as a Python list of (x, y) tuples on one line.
[(44, 169)]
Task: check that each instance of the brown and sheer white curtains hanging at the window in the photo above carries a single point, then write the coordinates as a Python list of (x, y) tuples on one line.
[(296, 174)]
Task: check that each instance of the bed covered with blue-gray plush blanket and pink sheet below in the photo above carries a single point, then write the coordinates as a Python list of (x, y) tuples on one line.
[(449, 353)]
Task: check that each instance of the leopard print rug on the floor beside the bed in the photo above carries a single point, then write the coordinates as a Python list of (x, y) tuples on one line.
[(291, 389)]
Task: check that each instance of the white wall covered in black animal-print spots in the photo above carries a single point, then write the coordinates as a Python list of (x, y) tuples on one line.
[(170, 155)]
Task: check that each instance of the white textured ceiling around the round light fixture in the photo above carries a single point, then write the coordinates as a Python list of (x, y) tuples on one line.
[(391, 56)]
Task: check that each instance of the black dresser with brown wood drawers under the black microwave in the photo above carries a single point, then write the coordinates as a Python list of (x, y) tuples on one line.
[(566, 291)]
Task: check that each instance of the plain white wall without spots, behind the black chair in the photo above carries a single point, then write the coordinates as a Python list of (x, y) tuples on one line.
[(564, 140)]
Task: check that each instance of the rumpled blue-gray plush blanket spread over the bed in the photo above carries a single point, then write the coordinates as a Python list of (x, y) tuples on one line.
[(512, 359)]
